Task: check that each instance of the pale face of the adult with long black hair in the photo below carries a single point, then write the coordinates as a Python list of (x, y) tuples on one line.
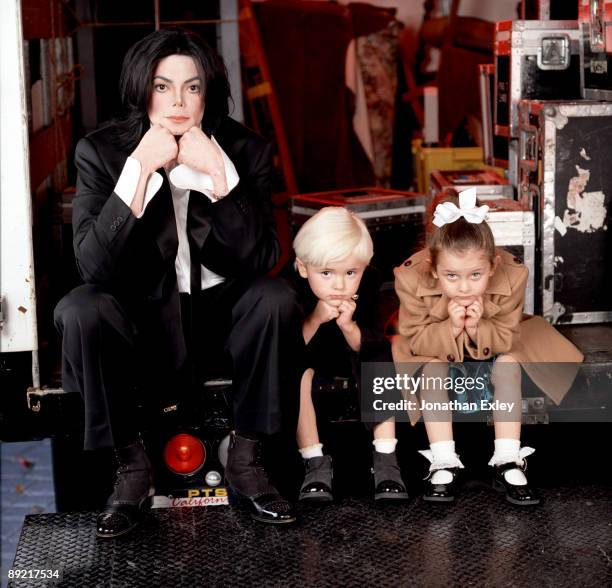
[(177, 100)]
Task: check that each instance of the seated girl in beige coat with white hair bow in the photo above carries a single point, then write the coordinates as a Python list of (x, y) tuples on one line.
[(461, 299)]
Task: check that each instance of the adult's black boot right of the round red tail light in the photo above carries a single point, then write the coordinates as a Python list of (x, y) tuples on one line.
[(248, 478)]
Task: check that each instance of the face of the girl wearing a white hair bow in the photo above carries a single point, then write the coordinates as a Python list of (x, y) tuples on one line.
[(463, 275)]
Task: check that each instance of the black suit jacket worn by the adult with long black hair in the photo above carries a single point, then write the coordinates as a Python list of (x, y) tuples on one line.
[(134, 258)]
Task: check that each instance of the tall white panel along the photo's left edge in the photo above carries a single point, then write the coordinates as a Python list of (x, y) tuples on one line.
[(18, 332)]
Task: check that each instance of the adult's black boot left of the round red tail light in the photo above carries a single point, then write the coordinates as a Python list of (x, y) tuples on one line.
[(132, 495)]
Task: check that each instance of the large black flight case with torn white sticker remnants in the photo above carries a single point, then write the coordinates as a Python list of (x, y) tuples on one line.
[(566, 178)]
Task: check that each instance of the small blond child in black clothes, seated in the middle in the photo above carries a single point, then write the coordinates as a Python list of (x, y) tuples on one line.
[(339, 295)]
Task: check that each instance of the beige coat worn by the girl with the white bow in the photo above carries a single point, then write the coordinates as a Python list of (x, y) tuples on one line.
[(425, 329)]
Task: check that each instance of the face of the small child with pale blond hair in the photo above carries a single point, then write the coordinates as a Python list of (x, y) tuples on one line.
[(334, 282)]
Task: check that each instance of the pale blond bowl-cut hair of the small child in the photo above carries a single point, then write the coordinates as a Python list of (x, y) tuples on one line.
[(333, 234)]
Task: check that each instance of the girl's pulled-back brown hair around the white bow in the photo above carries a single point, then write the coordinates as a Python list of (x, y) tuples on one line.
[(460, 235)]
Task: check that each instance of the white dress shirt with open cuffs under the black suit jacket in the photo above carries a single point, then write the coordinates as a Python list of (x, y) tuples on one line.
[(182, 180)]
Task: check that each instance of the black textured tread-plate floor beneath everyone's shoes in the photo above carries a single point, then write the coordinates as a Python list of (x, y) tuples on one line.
[(480, 540)]
